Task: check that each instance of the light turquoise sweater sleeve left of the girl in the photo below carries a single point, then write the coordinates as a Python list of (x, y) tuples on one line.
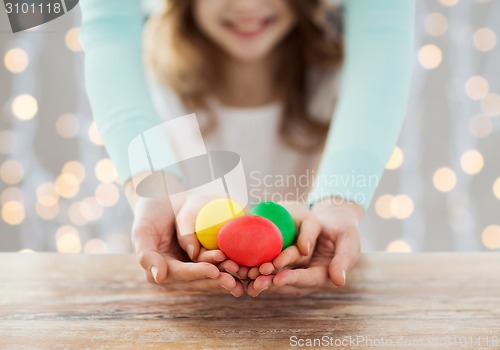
[(111, 35)]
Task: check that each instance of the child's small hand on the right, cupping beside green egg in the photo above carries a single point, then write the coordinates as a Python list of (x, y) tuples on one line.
[(299, 253)]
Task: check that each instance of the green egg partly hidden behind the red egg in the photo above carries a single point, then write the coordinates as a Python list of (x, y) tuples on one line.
[(280, 217)]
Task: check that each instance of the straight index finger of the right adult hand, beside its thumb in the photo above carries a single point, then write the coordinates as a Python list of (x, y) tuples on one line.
[(312, 277)]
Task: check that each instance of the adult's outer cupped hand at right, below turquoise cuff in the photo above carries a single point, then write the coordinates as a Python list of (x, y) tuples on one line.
[(337, 250)]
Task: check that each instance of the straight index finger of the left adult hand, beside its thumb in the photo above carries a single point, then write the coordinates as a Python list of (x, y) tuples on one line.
[(181, 271)]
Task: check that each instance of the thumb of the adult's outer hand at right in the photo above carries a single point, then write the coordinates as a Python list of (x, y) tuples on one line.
[(347, 251)]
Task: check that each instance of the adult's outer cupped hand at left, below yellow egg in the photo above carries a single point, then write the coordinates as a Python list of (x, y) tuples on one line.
[(159, 250)]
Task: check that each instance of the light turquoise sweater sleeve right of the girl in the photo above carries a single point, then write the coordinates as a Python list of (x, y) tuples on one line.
[(372, 102)]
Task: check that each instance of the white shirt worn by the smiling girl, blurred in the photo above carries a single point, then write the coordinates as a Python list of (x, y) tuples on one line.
[(273, 169)]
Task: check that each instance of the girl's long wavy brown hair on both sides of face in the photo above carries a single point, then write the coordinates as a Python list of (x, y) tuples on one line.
[(180, 57)]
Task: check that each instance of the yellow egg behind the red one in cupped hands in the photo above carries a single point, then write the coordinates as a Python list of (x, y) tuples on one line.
[(212, 217)]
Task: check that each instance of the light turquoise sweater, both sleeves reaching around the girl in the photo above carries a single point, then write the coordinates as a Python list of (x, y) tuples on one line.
[(366, 123)]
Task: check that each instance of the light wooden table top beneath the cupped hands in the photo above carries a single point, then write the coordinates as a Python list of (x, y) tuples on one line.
[(81, 301)]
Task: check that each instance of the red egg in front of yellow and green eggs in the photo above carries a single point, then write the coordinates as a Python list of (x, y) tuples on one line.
[(250, 240)]
